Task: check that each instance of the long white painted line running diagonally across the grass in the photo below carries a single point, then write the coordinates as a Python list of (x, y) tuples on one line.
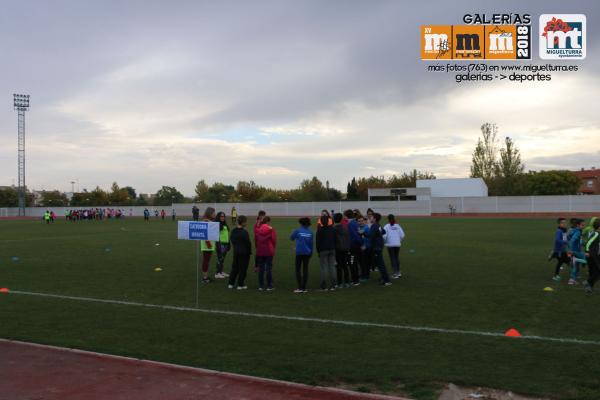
[(309, 319)]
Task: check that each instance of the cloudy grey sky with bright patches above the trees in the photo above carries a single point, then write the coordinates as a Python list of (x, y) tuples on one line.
[(151, 93)]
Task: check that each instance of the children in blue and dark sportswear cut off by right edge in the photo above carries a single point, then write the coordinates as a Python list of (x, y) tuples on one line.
[(577, 247)]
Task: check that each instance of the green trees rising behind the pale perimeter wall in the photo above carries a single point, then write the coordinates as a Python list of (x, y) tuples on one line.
[(500, 166)]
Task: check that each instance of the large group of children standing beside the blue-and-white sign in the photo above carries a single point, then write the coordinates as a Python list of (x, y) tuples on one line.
[(349, 247)]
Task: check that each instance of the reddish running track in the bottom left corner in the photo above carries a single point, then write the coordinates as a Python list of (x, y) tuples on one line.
[(31, 371)]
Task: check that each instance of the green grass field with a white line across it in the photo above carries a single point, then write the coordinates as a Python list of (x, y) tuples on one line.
[(468, 274)]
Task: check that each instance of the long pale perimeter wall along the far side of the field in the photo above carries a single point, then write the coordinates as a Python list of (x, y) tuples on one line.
[(435, 205)]
